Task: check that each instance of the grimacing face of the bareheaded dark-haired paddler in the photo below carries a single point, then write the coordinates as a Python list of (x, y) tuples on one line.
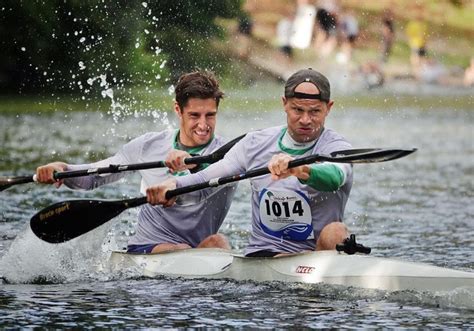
[(197, 121)]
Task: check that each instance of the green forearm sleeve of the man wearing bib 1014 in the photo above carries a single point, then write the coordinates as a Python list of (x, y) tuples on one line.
[(325, 177)]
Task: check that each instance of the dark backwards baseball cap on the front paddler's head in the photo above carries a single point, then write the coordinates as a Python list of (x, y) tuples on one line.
[(312, 76)]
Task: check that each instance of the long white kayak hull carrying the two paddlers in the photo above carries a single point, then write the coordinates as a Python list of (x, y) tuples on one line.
[(313, 267)]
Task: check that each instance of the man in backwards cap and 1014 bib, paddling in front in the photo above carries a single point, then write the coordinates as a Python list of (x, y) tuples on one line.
[(293, 210)]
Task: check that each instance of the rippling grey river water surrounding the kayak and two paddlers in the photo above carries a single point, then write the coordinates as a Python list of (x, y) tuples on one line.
[(418, 208)]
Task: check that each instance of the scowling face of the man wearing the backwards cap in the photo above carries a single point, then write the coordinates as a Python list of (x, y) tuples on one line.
[(305, 117)]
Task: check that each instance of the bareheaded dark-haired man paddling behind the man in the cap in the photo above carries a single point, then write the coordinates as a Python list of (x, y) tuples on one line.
[(192, 222)]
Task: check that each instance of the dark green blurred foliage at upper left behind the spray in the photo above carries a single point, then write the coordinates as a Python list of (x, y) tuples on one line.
[(74, 45)]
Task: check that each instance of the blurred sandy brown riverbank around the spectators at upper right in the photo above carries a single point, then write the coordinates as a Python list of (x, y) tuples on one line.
[(449, 49)]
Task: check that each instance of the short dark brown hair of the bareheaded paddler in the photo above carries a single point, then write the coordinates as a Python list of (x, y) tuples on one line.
[(197, 84)]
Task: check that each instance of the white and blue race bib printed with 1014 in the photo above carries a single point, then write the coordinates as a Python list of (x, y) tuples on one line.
[(286, 214)]
